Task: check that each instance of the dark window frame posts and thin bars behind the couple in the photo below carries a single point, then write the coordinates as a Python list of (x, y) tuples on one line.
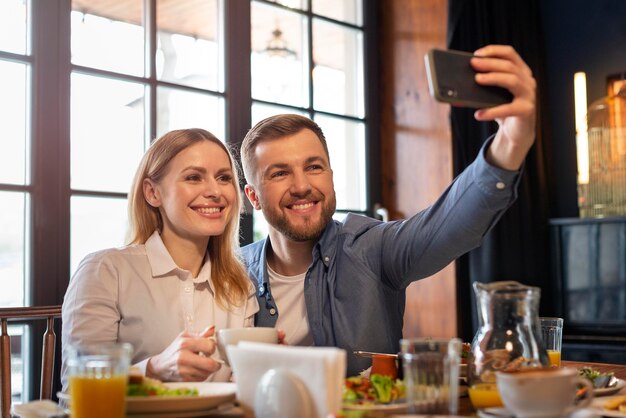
[(48, 253)]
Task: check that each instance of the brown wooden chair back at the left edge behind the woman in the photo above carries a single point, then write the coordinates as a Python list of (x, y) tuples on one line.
[(22, 315)]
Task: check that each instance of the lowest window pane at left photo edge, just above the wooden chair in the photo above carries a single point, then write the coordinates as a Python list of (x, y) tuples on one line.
[(12, 249)]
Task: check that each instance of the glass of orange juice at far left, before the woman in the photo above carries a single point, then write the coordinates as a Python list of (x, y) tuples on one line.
[(98, 376)]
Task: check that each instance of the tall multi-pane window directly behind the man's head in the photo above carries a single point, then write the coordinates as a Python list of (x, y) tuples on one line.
[(308, 58)]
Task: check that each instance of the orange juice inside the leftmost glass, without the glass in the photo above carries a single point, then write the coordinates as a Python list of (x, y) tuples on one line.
[(92, 397)]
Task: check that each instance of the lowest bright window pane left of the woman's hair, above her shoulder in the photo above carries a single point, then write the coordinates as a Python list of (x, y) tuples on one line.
[(96, 223)]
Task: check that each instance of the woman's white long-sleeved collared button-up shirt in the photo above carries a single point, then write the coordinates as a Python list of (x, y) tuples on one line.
[(137, 294)]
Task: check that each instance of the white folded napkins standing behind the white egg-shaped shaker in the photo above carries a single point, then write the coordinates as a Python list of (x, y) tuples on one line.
[(321, 369)]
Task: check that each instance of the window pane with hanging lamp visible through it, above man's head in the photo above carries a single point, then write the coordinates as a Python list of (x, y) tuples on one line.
[(279, 60)]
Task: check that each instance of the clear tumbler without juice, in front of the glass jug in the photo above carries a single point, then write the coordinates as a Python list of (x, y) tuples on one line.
[(431, 374)]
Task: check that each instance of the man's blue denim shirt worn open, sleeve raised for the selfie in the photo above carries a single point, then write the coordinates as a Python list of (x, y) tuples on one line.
[(355, 286)]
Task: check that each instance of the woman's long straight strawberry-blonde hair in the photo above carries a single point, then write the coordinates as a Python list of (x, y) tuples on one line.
[(229, 276)]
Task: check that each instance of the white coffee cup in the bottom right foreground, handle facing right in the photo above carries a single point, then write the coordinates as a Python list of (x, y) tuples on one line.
[(542, 392)]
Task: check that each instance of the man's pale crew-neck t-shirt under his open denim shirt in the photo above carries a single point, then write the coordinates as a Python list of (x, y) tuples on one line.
[(292, 318)]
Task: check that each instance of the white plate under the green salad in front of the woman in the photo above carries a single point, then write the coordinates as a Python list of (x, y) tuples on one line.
[(210, 396)]
